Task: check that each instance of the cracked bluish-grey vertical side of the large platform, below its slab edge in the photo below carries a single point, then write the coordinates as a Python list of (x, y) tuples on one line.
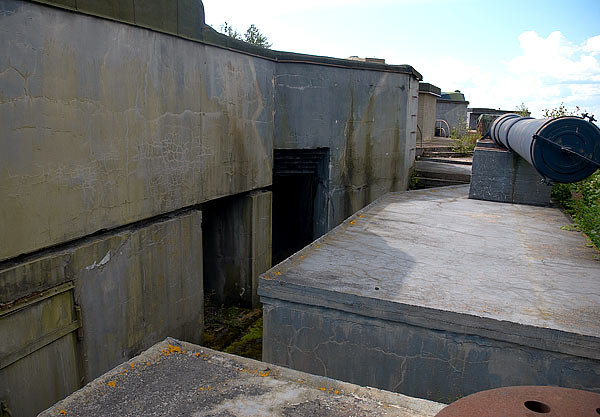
[(426, 363)]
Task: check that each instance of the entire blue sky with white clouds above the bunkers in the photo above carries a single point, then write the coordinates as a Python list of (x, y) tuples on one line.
[(499, 54)]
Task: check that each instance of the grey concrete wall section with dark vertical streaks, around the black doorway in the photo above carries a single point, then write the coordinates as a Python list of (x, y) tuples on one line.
[(366, 118)]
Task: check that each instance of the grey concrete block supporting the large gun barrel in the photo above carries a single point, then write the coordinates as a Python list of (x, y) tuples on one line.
[(500, 175)]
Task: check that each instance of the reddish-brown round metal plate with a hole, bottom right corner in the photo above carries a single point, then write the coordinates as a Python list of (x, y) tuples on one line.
[(526, 401)]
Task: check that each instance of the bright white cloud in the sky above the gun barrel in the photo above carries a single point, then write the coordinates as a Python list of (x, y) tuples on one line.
[(547, 72)]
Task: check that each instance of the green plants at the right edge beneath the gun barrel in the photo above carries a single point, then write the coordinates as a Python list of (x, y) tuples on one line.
[(582, 201)]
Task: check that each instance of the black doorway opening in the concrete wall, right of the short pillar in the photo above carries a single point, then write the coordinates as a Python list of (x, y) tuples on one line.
[(300, 199)]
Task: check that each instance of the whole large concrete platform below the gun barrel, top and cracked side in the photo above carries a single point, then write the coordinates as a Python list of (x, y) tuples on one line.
[(437, 296)]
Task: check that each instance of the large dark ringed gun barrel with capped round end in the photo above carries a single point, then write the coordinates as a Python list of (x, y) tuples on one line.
[(564, 149)]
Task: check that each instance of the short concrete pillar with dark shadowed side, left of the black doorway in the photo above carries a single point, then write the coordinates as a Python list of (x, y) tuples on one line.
[(237, 236)]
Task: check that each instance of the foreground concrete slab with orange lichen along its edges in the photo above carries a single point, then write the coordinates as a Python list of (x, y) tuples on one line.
[(174, 378)]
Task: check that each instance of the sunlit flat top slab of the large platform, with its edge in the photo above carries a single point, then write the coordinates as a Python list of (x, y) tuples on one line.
[(435, 258)]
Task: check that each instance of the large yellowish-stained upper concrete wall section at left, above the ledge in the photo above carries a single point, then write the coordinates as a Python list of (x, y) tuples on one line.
[(104, 124)]
